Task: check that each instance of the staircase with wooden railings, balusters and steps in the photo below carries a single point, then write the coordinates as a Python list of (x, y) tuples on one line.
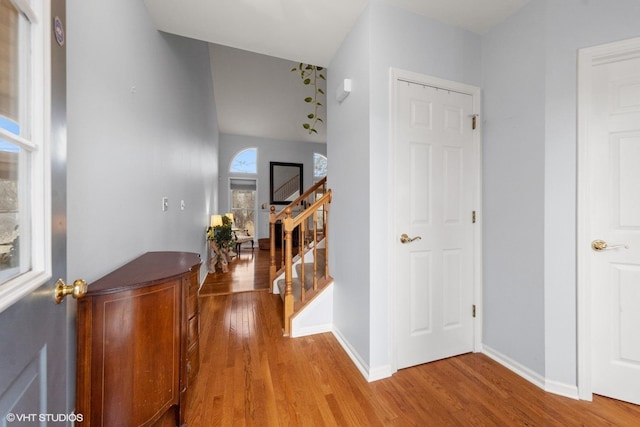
[(301, 273)]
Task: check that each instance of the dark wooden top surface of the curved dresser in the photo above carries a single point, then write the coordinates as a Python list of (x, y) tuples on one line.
[(146, 270)]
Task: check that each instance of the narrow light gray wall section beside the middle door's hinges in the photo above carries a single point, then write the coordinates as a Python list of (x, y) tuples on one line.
[(513, 187)]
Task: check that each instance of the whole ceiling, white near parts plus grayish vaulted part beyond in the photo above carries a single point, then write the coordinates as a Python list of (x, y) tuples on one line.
[(259, 41)]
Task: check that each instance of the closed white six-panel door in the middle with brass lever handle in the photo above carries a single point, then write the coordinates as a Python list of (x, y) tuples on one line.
[(434, 182)]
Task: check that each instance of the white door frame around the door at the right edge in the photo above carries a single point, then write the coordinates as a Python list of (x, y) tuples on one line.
[(587, 59)]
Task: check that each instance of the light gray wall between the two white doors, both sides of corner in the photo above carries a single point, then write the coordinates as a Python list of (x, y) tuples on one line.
[(545, 36)]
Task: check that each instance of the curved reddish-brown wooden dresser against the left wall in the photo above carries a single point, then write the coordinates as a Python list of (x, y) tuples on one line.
[(137, 349)]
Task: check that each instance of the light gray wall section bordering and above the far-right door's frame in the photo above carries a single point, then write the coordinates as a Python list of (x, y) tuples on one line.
[(571, 25)]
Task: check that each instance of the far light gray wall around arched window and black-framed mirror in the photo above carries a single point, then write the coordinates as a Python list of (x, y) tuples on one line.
[(269, 150)]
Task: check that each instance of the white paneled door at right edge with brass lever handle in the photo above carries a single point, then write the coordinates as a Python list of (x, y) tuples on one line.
[(613, 135)]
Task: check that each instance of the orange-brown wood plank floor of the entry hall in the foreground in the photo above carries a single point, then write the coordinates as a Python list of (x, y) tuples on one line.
[(252, 376)]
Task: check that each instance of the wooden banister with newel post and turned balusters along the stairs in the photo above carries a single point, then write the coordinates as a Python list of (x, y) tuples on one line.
[(300, 218)]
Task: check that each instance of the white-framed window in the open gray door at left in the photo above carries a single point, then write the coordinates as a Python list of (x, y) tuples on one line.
[(24, 204)]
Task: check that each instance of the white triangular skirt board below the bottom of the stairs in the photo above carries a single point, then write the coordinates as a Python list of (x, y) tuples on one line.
[(316, 317)]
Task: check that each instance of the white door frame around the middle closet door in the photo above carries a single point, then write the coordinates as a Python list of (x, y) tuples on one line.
[(474, 91)]
